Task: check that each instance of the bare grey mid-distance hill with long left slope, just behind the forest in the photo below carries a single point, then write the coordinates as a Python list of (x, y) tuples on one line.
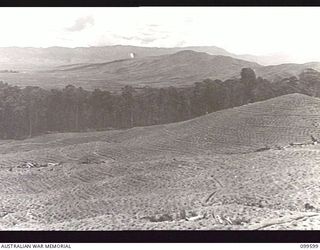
[(179, 69)]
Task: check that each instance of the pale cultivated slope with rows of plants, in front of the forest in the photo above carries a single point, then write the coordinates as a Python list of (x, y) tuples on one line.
[(251, 167)]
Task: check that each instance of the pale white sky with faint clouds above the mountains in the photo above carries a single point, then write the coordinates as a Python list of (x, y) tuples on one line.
[(289, 31)]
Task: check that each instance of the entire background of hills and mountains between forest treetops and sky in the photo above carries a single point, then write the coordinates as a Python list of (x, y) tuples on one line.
[(112, 67)]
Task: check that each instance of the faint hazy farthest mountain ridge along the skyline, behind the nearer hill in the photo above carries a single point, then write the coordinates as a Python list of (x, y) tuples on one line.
[(24, 58)]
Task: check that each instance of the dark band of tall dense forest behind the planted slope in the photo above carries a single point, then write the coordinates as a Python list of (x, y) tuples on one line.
[(30, 111)]
